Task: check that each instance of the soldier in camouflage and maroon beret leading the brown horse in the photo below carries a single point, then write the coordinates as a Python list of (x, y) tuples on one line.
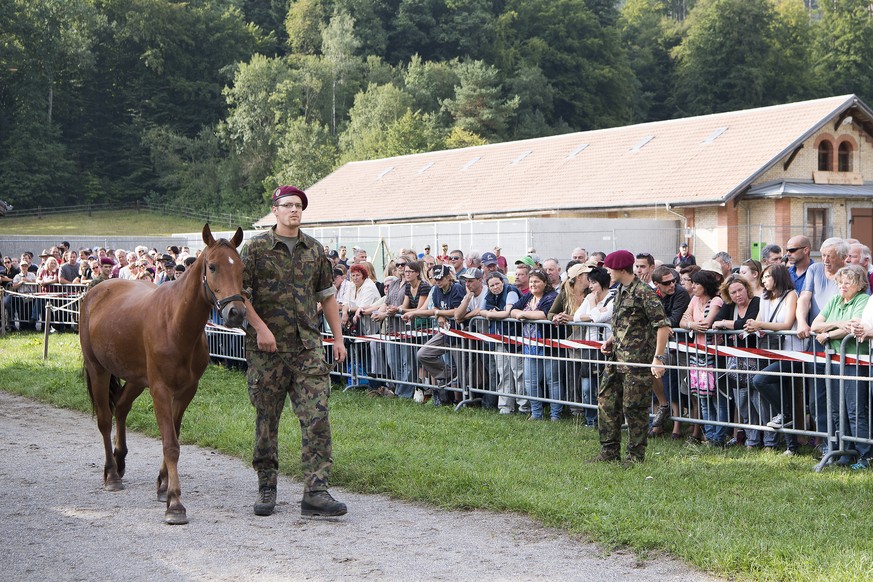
[(286, 273)]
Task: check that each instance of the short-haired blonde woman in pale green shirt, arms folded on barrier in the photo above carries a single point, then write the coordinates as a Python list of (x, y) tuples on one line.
[(832, 325)]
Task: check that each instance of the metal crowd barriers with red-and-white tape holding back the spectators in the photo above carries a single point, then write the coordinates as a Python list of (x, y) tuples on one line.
[(779, 394)]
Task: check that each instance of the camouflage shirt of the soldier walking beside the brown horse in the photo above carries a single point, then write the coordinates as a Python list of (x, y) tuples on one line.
[(284, 289)]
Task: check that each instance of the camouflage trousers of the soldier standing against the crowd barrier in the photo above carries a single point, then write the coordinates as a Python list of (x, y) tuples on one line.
[(624, 392)]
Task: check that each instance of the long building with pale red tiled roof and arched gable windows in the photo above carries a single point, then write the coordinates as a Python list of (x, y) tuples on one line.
[(729, 181)]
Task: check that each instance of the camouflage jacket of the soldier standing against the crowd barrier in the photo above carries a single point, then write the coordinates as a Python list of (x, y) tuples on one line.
[(636, 317)]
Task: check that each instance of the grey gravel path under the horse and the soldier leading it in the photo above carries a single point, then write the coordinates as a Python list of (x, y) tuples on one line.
[(57, 523)]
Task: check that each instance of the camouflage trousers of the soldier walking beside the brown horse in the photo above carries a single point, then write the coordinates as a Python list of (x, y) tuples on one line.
[(303, 377)]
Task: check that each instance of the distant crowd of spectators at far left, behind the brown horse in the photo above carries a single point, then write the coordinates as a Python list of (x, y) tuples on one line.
[(83, 267)]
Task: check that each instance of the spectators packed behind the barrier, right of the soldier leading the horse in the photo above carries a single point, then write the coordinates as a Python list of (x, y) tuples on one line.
[(784, 301)]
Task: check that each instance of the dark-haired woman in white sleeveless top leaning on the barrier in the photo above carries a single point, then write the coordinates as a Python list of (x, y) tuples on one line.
[(778, 313)]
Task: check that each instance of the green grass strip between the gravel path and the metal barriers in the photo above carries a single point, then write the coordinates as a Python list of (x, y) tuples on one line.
[(746, 515)]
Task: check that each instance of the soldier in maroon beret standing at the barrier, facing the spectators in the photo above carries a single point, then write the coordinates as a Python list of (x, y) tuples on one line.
[(640, 331)]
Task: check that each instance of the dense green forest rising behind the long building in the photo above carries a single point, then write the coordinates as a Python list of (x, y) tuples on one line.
[(209, 104)]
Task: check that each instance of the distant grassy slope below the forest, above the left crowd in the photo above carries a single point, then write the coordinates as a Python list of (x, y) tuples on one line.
[(104, 223)]
